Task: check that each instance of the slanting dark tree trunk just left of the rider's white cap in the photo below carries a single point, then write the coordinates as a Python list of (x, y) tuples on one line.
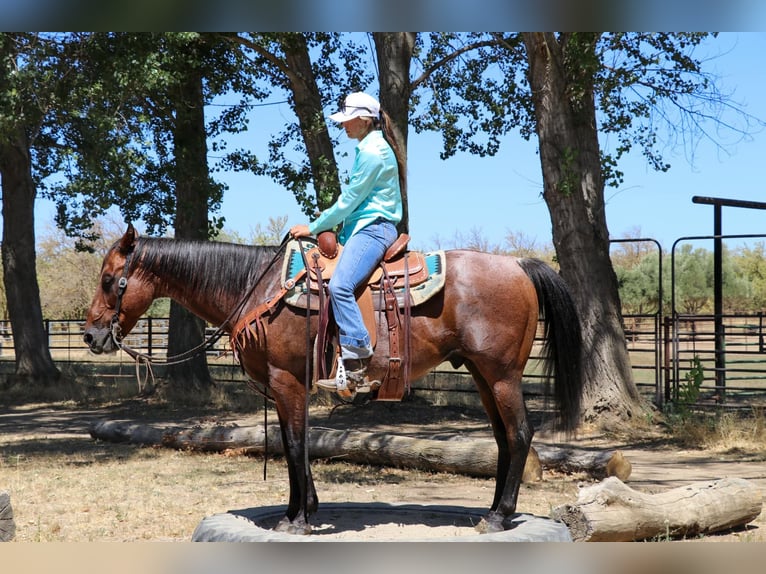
[(308, 108)]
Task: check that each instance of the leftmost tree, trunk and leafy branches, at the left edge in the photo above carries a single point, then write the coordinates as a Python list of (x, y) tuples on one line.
[(49, 107)]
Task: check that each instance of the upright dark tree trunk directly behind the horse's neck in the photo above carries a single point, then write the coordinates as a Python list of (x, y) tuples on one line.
[(189, 380)]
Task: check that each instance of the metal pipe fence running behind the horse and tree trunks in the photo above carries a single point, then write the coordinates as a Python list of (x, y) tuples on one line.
[(662, 352)]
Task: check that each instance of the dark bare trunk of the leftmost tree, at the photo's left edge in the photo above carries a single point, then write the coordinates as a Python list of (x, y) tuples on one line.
[(34, 364)]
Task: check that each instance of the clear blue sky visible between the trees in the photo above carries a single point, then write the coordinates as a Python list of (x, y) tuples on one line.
[(500, 195)]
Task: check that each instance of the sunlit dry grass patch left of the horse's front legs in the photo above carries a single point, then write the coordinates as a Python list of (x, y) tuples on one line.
[(106, 492)]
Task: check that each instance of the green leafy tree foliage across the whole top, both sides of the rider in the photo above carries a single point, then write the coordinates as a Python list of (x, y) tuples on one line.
[(105, 101)]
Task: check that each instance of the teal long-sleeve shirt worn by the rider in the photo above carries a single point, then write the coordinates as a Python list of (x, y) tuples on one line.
[(372, 191)]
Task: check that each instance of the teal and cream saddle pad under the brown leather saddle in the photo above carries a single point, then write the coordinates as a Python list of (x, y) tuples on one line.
[(296, 296)]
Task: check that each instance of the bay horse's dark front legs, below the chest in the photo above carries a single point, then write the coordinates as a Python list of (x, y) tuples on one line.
[(290, 397)]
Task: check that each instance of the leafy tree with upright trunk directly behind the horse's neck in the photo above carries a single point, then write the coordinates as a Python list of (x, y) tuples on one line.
[(162, 85)]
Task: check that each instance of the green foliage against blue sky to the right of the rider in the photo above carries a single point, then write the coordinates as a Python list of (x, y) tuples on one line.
[(638, 82)]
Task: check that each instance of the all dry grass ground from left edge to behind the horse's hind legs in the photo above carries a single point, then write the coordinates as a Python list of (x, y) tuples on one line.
[(66, 487)]
